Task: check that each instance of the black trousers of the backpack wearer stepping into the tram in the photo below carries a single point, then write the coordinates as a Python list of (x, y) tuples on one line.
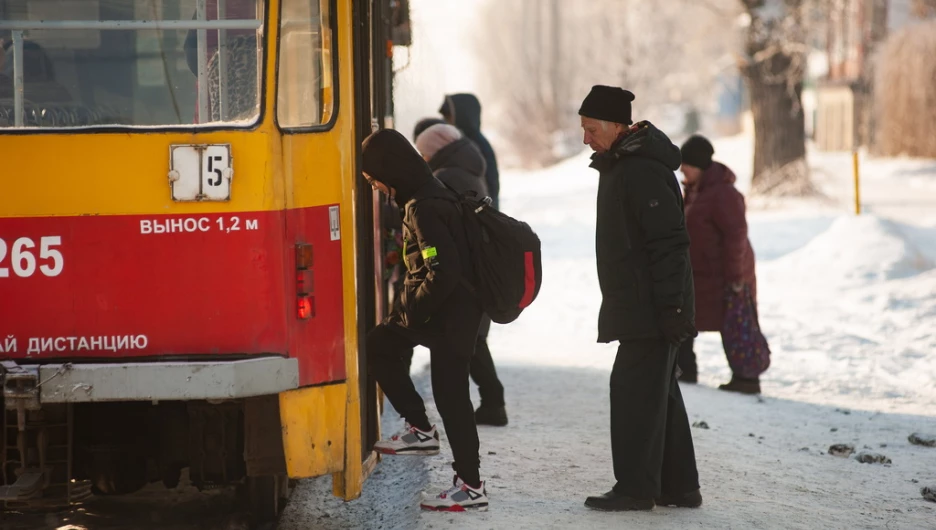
[(388, 355)]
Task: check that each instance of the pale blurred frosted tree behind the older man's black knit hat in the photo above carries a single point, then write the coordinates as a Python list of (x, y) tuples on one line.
[(540, 57)]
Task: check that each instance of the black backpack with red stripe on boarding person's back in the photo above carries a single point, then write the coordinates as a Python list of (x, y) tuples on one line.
[(505, 255)]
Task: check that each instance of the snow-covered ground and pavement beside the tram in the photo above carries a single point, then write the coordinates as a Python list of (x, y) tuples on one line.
[(848, 304)]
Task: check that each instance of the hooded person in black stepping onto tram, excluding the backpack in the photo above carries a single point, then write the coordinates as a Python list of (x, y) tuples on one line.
[(436, 311)]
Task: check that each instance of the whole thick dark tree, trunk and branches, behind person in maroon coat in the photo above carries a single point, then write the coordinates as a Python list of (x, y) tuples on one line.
[(774, 66)]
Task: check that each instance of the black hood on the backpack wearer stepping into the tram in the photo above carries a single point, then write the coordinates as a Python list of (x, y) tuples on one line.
[(391, 159)]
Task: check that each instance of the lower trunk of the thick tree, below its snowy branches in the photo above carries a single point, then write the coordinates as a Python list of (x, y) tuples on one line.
[(780, 166)]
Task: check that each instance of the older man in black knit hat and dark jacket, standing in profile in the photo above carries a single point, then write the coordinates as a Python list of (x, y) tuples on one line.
[(642, 250)]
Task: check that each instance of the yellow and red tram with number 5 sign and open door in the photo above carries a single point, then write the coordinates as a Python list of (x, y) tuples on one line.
[(189, 257)]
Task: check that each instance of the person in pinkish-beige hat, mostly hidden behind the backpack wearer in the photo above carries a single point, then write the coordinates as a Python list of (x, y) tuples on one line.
[(456, 161)]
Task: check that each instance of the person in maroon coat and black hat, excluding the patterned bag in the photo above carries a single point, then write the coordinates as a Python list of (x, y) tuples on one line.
[(721, 253)]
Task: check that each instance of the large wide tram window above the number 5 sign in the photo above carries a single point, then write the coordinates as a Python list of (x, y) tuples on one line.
[(130, 63)]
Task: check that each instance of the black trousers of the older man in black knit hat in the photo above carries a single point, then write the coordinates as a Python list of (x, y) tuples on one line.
[(651, 444)]
